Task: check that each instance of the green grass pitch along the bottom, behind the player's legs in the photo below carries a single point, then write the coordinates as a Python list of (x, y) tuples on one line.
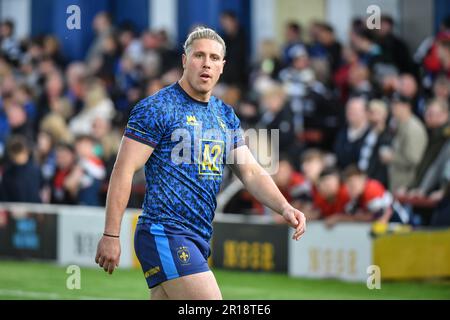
[(37, 280)]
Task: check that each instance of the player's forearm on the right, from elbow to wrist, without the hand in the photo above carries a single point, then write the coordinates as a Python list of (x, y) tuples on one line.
[(264, 189)]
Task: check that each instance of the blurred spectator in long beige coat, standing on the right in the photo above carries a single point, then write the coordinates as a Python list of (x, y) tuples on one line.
[(408, 145)]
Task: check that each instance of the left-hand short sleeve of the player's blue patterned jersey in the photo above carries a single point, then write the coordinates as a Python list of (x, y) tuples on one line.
[(146, 123)]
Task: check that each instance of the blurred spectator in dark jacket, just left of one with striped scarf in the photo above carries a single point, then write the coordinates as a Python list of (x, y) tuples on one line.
[(350, 139)]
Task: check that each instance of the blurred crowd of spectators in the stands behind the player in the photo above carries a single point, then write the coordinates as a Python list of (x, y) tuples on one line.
[(364, 128)]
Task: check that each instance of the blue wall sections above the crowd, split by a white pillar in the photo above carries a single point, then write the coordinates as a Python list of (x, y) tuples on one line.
[(49, 17)]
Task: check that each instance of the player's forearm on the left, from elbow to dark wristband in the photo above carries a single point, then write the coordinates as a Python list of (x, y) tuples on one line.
[(117, 199)]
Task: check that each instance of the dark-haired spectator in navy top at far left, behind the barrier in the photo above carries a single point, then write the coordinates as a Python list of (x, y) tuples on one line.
[(21, 181)]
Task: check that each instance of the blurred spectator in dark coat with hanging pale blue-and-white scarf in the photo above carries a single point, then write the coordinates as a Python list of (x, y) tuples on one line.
[(378, 138)]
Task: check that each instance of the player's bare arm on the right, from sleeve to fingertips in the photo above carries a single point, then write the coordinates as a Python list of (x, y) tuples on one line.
[(261, 185)]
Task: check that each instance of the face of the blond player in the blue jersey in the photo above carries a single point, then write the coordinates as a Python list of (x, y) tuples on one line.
[(203, 65)]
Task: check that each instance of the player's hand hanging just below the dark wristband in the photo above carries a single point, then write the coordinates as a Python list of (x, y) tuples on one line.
[(108, 253)]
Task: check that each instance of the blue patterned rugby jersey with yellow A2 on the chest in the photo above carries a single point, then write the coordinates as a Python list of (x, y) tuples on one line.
[(191, 140)]
